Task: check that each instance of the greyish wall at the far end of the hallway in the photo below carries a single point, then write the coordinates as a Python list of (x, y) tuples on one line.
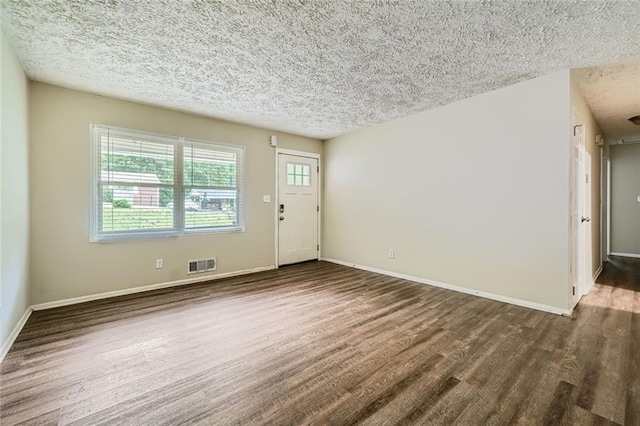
[(625, 208)]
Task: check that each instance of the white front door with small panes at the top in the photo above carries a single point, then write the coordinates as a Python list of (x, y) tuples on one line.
[(298, 209)]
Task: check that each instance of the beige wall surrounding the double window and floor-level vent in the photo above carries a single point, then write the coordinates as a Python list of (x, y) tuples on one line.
[(65, 264)]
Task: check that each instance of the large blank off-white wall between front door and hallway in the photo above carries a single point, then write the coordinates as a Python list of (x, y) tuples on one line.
[(472, 194)]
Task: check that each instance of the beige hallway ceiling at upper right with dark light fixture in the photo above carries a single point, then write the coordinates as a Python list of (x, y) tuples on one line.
[(613, 93)]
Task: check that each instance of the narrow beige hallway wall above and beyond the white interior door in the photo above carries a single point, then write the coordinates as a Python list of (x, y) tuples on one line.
[(593, 164)]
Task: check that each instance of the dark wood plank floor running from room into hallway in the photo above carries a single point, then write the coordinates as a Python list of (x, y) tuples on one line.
[(318, 343)]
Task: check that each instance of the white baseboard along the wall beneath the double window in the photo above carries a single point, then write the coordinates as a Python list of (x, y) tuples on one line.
[(142, 289)]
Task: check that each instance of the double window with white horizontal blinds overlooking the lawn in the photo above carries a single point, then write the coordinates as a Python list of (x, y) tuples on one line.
[(150, 185)]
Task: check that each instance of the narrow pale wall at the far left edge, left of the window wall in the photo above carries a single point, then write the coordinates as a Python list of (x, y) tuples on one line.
[(14, 191)]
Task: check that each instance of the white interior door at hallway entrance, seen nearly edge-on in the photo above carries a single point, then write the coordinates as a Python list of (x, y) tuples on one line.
[(581, 216)]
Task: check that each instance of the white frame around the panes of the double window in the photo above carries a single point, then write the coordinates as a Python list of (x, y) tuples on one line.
[(179, 185)]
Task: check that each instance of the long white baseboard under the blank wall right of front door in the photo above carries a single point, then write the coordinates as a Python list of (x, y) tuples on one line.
[(486, 295)]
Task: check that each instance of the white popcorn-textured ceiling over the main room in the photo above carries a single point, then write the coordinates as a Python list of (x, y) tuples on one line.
[(316, 68)]
